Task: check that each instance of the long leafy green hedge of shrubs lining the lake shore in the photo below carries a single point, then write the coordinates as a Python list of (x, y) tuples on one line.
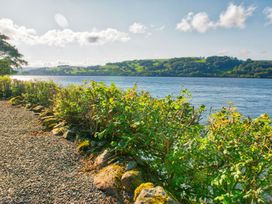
[(229, 160)]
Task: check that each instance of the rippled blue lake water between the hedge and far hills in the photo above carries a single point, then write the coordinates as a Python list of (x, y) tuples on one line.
[(252, 96)]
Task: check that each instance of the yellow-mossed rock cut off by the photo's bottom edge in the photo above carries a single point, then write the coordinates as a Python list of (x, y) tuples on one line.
[(147, 193)]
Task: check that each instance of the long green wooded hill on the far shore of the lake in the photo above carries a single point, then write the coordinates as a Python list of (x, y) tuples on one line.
[(214, 66)]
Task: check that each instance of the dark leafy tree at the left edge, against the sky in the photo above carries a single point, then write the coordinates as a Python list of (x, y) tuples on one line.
[(10, 57)]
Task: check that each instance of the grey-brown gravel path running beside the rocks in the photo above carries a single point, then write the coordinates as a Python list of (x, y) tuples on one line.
[(36, 167)]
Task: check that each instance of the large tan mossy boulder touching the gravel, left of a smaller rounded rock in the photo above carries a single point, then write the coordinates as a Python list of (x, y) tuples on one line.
[(108, 179)]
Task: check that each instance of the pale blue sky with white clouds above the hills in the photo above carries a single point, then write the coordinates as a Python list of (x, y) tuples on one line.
[(91, 32)]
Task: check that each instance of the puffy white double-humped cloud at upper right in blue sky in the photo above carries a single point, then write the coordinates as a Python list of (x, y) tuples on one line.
[(234, 16)]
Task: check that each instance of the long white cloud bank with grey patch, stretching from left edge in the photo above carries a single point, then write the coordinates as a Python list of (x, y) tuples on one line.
[(21, 34)]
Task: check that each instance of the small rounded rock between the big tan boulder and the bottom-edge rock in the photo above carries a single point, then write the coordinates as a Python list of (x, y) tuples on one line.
[(131, 179)]
